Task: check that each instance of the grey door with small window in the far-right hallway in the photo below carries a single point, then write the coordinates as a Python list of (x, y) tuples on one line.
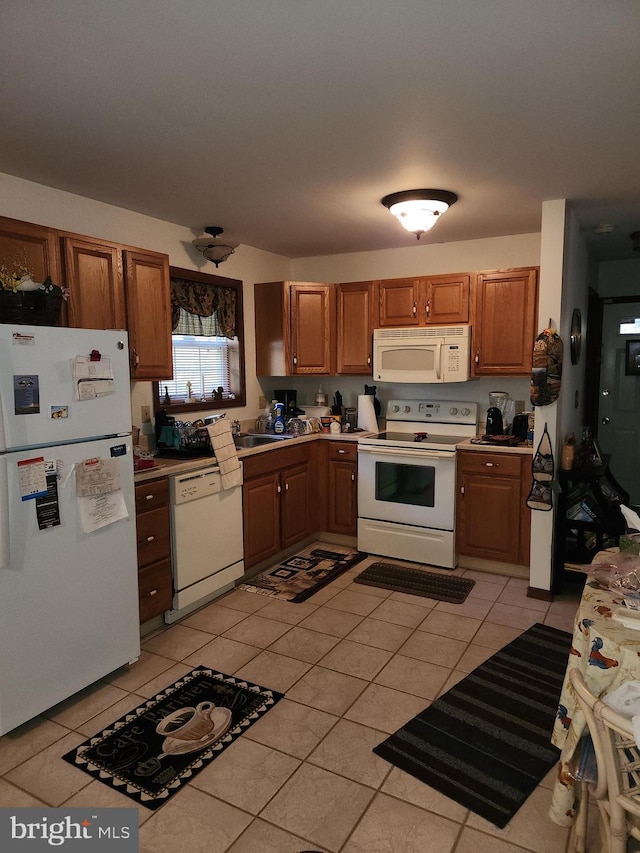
[(619, 398)]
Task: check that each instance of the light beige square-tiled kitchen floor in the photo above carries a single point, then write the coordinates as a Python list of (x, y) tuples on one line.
[(356, 663)]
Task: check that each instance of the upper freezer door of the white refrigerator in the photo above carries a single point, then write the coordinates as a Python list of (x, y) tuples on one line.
[(38, 392)]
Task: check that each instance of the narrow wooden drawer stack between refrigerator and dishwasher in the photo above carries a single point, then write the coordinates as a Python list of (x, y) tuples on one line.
[(153, 532)]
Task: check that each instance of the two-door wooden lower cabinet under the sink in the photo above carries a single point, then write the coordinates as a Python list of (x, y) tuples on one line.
[(277, 501)]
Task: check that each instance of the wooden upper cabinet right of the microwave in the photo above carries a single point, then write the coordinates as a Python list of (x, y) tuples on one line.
[(504, 320)]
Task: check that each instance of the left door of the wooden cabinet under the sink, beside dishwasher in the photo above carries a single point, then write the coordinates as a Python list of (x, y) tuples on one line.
[(261, 517)]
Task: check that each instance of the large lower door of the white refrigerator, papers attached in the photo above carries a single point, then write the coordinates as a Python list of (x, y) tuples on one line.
[(68, 597)]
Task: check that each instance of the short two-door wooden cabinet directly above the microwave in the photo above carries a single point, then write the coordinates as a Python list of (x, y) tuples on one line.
[(427, 301)]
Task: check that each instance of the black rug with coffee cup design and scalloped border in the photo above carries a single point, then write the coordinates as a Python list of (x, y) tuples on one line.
[(159, 746)]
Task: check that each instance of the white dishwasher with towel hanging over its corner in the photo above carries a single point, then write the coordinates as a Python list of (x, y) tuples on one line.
[(206, 539)]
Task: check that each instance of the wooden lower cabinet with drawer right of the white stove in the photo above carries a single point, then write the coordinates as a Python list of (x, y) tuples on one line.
[(493, 521)]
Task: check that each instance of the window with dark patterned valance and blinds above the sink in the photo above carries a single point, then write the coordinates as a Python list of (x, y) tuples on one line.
[(208, 349)]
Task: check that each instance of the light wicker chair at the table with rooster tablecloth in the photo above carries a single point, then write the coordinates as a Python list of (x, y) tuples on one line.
[(617, 791)]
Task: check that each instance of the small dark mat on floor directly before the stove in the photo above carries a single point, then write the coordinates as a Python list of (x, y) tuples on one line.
[(449, 588)]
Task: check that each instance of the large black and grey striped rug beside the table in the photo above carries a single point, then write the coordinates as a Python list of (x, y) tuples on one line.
[(486, 743)]
